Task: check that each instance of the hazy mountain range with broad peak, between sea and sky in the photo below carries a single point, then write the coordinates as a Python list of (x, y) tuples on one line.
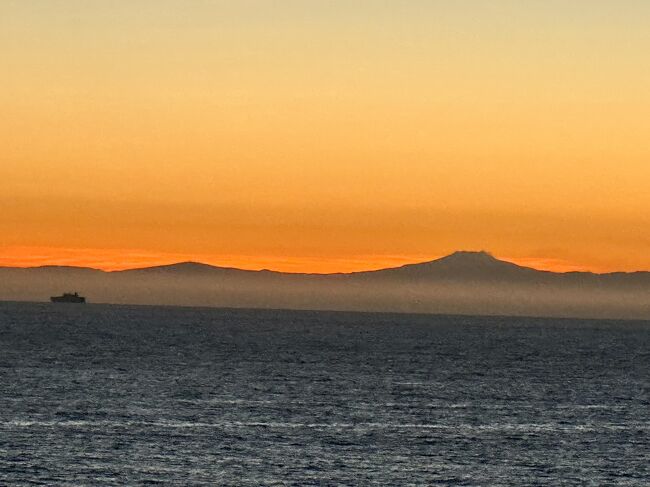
[(460, 283)]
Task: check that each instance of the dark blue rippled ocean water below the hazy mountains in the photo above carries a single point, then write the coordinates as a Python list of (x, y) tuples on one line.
[(101, 395)]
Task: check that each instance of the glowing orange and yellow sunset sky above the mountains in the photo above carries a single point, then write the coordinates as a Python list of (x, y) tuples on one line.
[(325, 135)]
